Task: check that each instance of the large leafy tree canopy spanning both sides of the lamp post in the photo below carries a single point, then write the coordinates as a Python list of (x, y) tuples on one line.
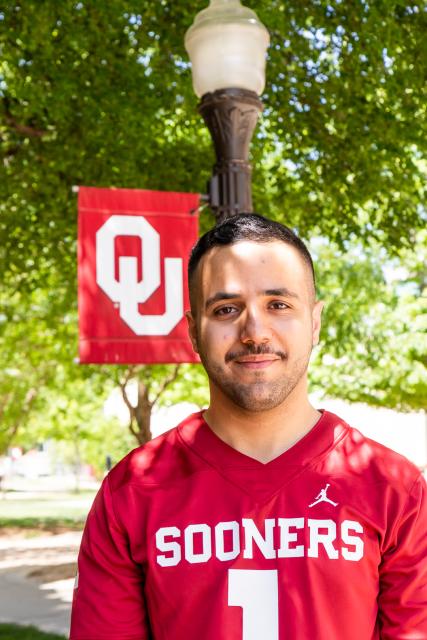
[(100, 94)]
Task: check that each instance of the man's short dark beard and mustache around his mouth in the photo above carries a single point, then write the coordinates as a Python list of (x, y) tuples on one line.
[(259, 394)]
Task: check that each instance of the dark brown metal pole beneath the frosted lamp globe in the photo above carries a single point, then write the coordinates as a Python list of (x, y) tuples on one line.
[(231, 116)]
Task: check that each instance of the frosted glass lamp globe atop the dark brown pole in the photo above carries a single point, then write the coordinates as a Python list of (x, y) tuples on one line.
[(227, 46)]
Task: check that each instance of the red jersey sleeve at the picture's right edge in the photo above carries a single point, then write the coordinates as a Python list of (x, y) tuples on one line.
[(403, 573)]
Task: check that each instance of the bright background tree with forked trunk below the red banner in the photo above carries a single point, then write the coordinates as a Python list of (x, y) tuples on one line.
[(43, 390)]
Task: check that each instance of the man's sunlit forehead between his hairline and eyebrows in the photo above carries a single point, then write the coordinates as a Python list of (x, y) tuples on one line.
[(246, 264)]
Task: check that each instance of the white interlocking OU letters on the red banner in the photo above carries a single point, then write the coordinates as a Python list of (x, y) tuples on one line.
[(127, 291)]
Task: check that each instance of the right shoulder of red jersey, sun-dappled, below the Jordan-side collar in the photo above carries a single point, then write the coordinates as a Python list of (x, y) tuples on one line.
[(375, 462)]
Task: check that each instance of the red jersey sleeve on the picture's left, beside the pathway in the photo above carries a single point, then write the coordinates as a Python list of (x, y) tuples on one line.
[(108, 601)]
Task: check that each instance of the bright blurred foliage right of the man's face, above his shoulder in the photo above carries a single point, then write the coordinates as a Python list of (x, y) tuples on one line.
[(374, 340)]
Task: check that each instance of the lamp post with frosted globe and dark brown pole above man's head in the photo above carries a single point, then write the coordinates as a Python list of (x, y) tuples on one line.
[(227, 45)]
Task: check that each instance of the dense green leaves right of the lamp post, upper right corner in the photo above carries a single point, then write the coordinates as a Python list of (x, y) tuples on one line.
[(346, 121)]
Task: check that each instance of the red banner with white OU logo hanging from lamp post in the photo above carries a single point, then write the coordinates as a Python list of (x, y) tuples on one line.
[(133, 249)]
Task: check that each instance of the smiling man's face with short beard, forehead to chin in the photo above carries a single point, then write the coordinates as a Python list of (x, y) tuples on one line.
[(256, 322)]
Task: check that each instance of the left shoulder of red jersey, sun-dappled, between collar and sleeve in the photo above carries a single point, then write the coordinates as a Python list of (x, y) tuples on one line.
[(156, 461)]
